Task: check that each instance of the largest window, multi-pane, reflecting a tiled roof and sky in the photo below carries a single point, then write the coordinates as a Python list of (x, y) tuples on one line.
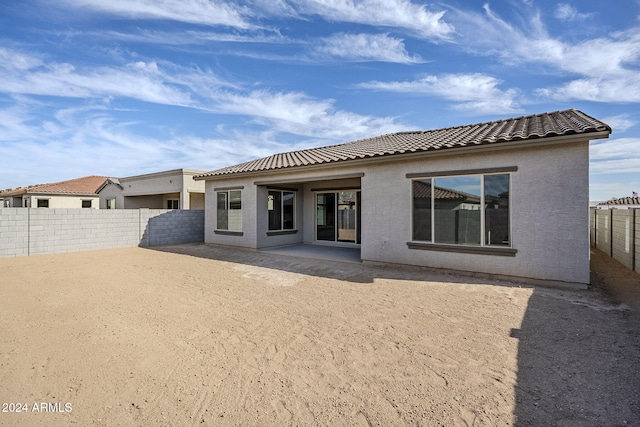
[(470, 210)]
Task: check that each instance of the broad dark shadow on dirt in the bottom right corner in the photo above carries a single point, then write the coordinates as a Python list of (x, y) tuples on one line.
[(579, 355)]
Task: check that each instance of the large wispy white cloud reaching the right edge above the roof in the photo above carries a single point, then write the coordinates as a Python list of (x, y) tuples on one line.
[(606, 67)]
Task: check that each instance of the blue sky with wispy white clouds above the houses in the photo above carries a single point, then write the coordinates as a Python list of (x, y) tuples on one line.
[(126, 87)]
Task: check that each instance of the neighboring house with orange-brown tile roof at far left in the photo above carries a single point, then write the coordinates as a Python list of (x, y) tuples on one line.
[(74, 193)]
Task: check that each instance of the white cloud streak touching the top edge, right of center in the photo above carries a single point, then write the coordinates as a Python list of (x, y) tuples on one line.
[(391, 13)]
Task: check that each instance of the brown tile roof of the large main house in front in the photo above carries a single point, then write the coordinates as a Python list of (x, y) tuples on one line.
[(539, 126)]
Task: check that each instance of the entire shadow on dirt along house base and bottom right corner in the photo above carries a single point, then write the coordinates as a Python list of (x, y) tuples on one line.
[(578, 352)]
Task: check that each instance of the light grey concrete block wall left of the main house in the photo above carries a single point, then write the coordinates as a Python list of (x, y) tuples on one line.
[(29, 231)]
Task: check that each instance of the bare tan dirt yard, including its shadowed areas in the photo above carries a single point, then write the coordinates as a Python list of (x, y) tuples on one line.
[(199, 335)]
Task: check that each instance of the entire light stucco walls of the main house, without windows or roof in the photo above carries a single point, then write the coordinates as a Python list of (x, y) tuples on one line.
[(549, 210)]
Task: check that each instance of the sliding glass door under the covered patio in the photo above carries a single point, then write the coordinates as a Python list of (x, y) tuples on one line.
[(338, 216)]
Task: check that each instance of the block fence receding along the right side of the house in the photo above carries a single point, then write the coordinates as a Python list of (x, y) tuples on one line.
[(616, 232)]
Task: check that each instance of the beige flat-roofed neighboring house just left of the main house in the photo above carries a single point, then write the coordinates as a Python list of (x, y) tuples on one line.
[(174, 189)]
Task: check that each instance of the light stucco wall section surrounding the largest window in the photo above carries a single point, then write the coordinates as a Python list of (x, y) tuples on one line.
[(551, 237)]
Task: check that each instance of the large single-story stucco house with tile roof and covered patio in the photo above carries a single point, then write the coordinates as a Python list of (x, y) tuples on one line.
[(482, 198)]
